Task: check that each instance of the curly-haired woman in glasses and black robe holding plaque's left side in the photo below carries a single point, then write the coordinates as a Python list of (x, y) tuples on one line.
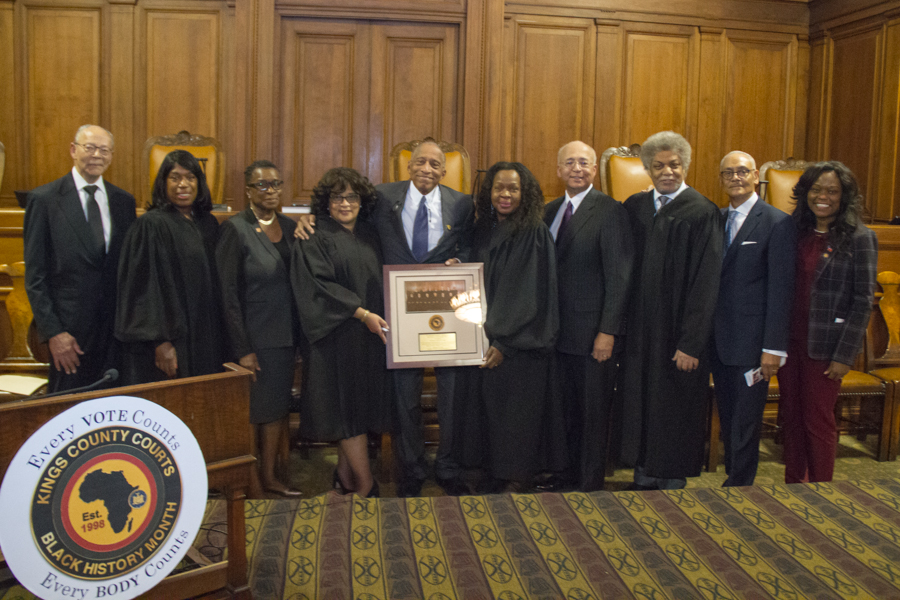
[(337, 281)]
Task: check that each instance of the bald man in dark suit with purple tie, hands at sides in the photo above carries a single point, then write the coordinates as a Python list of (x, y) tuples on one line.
[(594, 254)]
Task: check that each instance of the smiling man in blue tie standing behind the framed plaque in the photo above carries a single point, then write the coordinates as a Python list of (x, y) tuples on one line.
[(421, 221)]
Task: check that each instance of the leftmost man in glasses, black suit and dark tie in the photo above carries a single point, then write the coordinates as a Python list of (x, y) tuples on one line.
[(74, 229)]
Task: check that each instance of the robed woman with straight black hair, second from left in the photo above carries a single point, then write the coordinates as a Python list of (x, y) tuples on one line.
[(167, 312)]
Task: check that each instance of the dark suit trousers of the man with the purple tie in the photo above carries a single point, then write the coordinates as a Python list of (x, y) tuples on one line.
[(587, 388)]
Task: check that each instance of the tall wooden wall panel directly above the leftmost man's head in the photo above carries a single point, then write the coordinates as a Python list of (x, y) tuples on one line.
[(60, 79)]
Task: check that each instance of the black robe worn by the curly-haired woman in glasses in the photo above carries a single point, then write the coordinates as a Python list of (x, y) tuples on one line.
[(332, 274)]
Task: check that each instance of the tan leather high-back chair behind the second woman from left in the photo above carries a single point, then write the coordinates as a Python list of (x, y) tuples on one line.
[(208, 151)]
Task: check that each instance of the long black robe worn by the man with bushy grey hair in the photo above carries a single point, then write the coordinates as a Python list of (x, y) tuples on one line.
[(677, 265)]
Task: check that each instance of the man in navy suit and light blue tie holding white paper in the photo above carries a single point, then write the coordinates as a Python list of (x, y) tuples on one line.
[(750, 328)]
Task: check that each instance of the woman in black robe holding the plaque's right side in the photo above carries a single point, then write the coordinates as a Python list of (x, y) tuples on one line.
[(512, 388)]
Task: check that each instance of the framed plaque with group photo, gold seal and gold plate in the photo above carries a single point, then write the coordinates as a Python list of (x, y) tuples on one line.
[(423, 306)]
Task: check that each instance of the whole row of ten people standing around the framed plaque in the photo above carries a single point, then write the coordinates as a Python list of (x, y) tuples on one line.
[(604, 319)]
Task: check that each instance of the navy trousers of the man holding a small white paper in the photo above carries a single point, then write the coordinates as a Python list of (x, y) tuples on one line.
[(740, 413)]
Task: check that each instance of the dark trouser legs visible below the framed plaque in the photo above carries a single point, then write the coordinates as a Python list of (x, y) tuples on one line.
[(410, 442)]
